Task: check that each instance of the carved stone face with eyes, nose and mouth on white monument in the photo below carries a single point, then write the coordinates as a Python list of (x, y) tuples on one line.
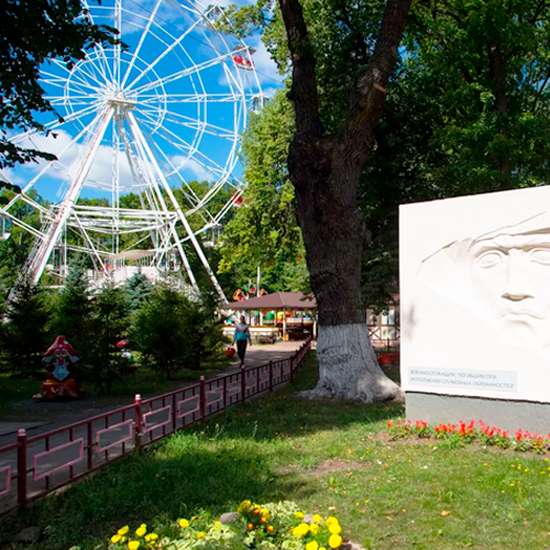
[(511, 279)]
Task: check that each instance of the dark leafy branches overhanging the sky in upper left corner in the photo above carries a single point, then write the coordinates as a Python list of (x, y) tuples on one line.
[(29, 36)]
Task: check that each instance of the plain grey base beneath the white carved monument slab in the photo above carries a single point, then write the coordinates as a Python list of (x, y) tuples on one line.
[(509, 415)]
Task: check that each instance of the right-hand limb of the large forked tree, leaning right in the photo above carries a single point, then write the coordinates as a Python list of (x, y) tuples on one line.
[(358, 132)]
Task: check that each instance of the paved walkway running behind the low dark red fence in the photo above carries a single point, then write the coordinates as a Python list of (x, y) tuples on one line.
[(40, 416)]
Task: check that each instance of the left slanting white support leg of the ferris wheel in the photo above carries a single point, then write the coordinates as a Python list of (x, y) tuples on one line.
[(38, 263)]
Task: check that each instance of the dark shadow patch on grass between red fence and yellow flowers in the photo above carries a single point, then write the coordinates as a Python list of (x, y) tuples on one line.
[(177, 479)]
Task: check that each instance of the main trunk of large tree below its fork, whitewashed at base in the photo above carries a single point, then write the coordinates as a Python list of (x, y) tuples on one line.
[(333, 231)]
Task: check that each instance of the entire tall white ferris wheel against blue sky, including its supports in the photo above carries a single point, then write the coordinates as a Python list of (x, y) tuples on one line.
[(147, 138)]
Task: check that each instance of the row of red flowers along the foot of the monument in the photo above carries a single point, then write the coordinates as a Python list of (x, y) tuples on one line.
[(463, 432)]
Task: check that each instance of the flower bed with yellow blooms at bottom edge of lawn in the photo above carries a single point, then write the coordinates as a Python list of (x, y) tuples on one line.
[(253, 526)]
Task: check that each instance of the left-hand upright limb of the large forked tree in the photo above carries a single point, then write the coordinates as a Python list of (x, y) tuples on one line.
[(303, 92)]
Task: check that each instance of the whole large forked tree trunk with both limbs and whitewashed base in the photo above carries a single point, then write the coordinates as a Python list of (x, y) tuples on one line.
[(325, 172)]
